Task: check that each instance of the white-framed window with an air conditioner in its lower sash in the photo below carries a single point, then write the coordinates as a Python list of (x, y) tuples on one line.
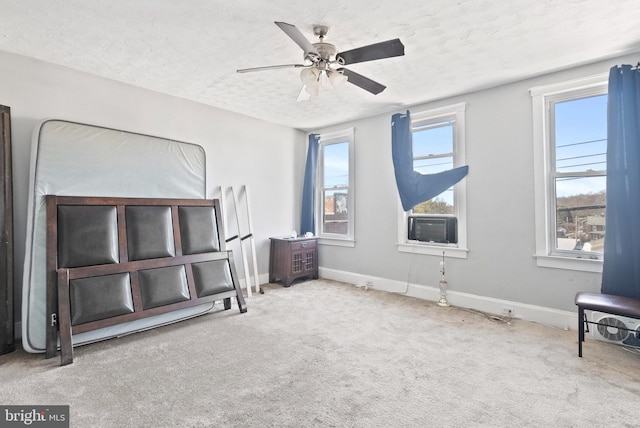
[(438, 145)]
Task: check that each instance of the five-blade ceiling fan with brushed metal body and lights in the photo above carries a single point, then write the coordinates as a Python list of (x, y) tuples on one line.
[(323, 58)]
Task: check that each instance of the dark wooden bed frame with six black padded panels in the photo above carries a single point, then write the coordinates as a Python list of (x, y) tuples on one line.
[(114, 260)]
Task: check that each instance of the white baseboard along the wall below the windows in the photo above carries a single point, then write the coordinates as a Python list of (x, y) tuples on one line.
[(540, 314)]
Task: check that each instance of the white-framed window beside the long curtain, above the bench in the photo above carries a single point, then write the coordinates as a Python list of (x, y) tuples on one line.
[(570, 147)]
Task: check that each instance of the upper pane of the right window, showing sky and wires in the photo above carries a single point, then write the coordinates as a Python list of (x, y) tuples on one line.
[(581, 134)]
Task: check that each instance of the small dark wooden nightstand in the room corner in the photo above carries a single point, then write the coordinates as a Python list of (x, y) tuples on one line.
[(291, 259)]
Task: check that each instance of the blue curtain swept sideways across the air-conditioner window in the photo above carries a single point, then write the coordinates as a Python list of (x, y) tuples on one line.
[(413, 186)]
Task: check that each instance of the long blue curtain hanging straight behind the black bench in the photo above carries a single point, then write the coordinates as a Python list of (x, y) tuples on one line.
[(621, 268)]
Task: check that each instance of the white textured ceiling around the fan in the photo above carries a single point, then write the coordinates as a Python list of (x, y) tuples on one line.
[(192, 48)]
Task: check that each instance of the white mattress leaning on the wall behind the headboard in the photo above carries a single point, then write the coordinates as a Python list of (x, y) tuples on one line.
[(75, 159)]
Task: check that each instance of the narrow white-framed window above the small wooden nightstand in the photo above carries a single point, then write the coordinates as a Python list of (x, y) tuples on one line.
[(335, 189)]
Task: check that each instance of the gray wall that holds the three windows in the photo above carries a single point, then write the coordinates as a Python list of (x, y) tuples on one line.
[(500, 204)]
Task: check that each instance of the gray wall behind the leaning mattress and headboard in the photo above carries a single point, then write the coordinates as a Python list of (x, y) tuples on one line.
[(239, 150)]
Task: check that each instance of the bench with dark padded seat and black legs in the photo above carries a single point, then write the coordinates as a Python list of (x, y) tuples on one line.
[(606, 303)]
